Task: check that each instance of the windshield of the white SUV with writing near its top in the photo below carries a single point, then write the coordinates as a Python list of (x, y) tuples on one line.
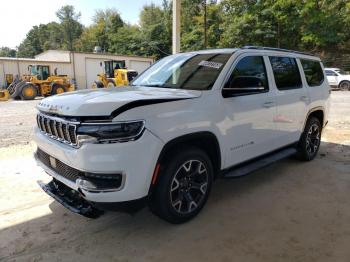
[(184, 71)]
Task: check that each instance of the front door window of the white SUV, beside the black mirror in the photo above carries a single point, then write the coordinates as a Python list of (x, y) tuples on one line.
[(248, 77)]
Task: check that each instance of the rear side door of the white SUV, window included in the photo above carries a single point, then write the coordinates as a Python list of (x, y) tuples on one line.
[(291, 97)]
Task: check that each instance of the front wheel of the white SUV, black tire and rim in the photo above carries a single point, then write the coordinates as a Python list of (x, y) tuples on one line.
[(183, 185)]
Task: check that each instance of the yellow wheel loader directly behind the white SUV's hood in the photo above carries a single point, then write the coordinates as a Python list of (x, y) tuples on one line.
[(115, 74)]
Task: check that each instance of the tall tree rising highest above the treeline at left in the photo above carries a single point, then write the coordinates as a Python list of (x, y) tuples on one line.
[(70, 25)]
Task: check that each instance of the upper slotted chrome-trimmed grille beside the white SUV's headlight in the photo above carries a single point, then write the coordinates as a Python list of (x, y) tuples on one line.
[(58, 129)]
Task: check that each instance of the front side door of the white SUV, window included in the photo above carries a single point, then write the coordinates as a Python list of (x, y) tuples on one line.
[(249, 123)]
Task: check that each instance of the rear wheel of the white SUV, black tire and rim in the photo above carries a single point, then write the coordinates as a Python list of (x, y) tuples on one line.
[(310, 140)]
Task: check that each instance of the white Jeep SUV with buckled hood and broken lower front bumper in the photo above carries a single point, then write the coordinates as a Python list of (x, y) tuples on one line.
[(187, 120)]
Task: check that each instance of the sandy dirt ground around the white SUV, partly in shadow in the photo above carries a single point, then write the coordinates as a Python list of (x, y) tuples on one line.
[(289, 211)]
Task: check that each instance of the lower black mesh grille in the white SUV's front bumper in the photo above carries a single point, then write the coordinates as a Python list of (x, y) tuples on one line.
[(62, 169)]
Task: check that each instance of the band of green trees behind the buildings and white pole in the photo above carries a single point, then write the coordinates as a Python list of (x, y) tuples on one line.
[(311, 25)]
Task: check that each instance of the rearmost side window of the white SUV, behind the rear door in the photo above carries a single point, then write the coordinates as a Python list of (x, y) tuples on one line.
[(313, 72)]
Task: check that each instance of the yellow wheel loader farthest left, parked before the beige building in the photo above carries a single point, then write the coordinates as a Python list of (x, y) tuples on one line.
[(39, 82)]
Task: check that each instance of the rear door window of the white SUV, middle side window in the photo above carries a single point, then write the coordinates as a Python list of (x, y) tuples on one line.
[(286, 72)]
